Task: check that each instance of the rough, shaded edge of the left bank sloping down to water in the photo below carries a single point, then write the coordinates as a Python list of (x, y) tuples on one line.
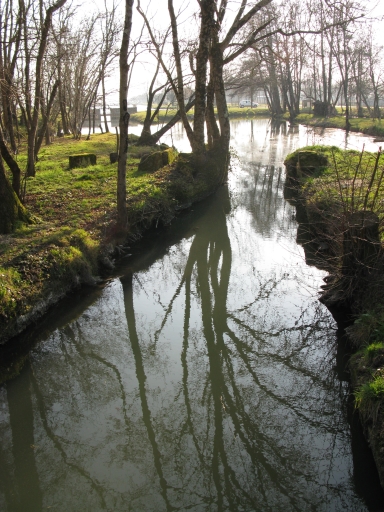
[(184, 183)]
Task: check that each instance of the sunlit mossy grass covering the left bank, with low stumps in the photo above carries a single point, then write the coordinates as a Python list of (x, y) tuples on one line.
[(73, 235)]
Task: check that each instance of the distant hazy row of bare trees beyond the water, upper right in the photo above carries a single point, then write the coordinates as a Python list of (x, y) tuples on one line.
[(325, 53)]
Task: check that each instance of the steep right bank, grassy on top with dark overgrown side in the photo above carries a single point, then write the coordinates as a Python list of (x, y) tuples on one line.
[(339, 196)]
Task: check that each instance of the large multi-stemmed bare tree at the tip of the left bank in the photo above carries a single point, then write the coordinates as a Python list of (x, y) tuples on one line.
[(213, 50)]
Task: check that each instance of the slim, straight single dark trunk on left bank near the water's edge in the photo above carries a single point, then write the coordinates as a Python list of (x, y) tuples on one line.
[(122, 218)]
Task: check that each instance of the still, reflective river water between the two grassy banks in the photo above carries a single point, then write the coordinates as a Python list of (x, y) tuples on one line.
[(204, 376)]
